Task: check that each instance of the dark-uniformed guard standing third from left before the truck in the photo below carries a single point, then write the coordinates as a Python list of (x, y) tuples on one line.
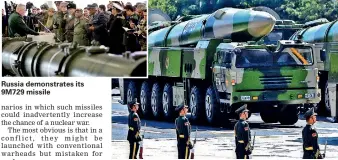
[(242, 134)]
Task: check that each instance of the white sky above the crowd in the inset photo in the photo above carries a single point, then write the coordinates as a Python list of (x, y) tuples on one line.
[(79, 3)]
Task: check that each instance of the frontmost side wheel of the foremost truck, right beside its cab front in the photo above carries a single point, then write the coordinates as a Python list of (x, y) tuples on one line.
[(211, 107)]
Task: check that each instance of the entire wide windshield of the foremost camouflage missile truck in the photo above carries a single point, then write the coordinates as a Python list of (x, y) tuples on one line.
[(255, 58)]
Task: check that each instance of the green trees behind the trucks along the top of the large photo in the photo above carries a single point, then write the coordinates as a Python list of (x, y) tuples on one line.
[(297, 10)]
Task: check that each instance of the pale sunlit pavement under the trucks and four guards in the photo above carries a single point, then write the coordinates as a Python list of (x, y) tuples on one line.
[(272, 140)]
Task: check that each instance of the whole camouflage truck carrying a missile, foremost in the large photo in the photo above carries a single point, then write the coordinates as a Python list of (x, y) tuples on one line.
[(193, 62)]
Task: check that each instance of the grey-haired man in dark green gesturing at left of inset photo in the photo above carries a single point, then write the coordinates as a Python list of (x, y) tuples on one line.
[(16, 24)]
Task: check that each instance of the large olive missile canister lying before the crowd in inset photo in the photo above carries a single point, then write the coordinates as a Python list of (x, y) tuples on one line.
[(42, 59)]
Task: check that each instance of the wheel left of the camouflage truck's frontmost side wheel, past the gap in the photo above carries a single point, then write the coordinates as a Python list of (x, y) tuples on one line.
[(196, 104)]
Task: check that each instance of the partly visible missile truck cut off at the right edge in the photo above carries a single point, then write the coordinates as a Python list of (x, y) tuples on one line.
[(325, 38)]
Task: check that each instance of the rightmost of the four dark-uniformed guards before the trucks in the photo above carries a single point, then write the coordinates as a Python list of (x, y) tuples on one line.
[(310, 137)]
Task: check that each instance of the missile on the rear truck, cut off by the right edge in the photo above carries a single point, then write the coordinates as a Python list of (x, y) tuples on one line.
[(327, 32)]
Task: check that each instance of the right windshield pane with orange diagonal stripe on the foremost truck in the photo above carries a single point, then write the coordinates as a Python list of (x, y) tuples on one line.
[(294, 56)]
